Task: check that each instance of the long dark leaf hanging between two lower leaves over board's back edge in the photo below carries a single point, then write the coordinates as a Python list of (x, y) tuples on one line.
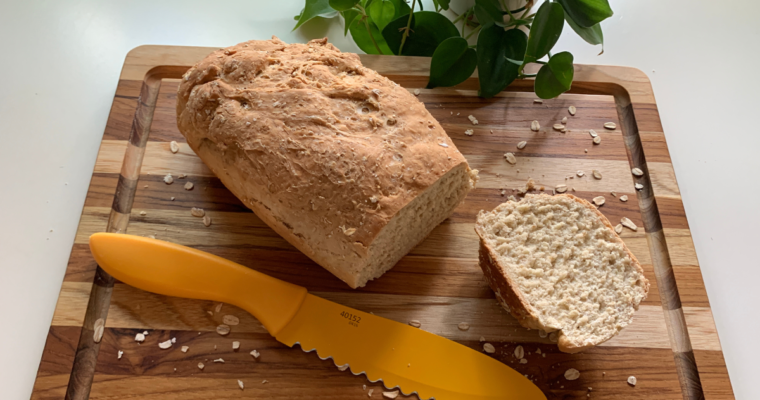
[(495, 45)]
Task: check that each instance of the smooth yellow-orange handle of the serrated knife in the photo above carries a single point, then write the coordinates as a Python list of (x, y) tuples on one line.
[(173, 270)]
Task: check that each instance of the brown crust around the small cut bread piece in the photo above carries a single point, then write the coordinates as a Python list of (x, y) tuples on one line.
[(511, 298)]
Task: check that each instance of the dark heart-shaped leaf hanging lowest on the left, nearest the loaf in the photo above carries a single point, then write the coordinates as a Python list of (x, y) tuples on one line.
[(452, 63)]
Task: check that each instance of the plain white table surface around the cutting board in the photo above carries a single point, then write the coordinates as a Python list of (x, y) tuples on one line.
[(60, 65)]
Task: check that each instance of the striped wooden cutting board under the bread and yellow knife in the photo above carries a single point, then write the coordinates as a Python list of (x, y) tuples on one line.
[(672, 347)]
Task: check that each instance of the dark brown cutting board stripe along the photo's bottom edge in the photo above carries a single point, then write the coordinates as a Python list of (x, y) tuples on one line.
[(604, 369)]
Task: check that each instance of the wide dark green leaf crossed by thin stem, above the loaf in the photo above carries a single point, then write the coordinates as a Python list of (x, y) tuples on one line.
[(428, 30)]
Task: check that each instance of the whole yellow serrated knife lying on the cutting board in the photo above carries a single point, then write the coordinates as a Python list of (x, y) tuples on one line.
[(401, 356)]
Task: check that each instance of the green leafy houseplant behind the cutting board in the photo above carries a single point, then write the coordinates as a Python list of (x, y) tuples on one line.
[(502, 47)]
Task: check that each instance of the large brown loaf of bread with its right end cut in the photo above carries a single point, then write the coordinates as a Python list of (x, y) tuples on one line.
[(346, 165)]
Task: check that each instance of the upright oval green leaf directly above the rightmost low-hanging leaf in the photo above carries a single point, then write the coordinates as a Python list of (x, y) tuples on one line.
[(545, 30)]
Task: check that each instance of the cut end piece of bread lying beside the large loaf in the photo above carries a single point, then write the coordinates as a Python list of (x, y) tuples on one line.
[(556, 264)]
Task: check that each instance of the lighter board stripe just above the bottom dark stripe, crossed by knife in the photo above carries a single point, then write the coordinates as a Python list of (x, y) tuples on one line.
[(136, 309)]
